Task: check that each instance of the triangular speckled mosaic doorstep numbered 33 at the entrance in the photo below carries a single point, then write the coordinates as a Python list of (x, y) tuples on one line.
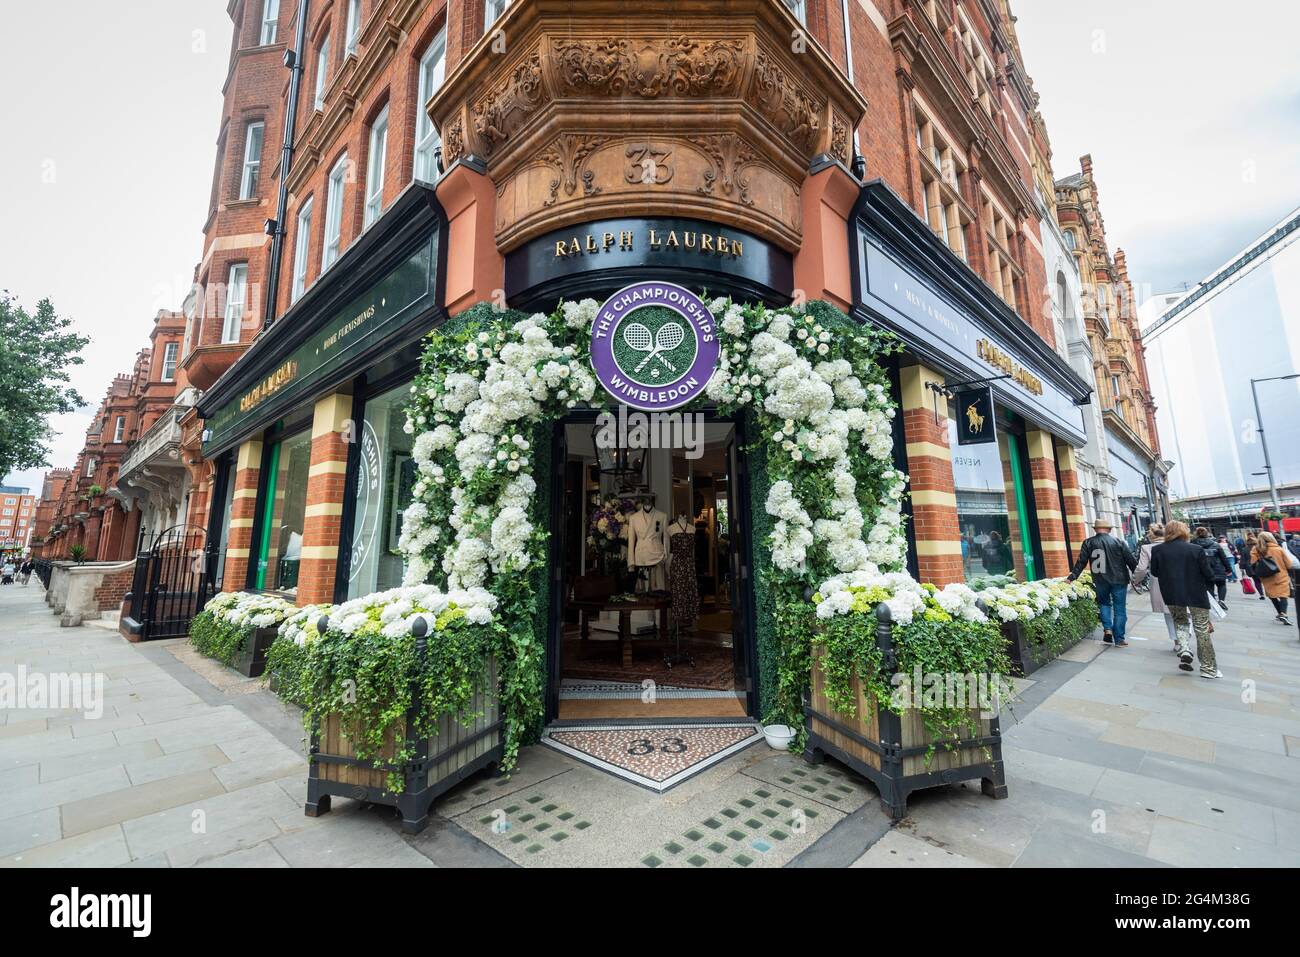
[(655, 756)]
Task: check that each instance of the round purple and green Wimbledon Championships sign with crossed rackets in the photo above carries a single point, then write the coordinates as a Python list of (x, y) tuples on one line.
[(653, 347)]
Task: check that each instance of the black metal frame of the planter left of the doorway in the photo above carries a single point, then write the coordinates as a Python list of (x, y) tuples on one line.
[(419, 790)]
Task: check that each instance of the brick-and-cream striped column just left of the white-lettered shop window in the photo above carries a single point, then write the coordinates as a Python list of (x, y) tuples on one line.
[(323, 526)]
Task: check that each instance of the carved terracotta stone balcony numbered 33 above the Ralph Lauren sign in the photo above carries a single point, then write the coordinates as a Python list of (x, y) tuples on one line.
[(710, 110)]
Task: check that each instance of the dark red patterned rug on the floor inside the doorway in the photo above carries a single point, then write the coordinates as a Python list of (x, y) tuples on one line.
[(714, 665)]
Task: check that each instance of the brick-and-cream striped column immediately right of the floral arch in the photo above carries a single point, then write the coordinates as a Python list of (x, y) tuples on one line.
[(930, 466)]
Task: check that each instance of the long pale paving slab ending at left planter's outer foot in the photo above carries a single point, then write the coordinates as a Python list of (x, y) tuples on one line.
[(220, 813)]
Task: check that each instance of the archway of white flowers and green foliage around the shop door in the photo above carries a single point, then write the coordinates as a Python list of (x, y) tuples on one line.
[(826, 497)]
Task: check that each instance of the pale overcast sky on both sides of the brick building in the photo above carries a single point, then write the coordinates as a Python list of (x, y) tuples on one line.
[(1191, 112)]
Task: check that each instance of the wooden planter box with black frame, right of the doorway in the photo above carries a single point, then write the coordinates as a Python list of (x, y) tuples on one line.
[(890, 750)]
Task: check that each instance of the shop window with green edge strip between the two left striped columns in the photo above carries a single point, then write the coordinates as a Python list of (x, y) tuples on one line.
[(284, 513)]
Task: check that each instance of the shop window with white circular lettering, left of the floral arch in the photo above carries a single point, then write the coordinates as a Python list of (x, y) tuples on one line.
[(384, 490)]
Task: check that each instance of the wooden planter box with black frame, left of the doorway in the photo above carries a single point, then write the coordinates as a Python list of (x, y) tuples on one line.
[(443, 761)]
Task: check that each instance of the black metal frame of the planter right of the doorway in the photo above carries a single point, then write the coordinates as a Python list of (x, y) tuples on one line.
[(891, 780)]
